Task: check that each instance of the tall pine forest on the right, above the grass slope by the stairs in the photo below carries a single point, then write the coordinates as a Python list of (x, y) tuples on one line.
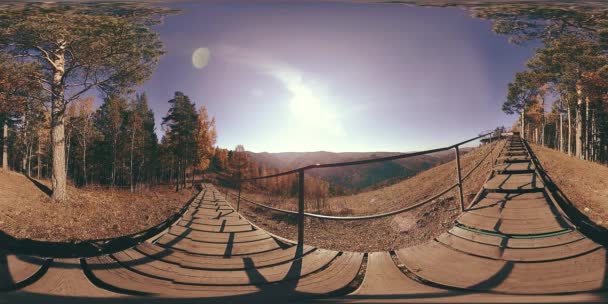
[(561, 98)]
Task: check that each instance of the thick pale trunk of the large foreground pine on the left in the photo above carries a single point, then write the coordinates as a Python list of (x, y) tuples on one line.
[(59, 173)]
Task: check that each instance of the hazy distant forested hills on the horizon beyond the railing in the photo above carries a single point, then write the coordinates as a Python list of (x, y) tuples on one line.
[(356, 177)]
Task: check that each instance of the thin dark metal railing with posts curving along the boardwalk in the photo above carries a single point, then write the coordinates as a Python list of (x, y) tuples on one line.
[(301, 186)]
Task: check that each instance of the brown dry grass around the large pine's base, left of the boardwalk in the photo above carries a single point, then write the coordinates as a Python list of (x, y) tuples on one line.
[(27, 212)]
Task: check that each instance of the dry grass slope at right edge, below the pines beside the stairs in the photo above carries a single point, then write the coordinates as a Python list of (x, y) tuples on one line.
[(583, 182)]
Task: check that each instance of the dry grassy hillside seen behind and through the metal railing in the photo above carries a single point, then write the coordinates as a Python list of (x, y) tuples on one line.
[(409, 228)]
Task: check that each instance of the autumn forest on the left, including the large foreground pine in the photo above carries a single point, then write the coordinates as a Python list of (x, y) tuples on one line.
[(56, 61)]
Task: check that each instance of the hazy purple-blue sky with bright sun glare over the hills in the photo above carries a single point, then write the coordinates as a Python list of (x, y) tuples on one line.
[(339, 77)]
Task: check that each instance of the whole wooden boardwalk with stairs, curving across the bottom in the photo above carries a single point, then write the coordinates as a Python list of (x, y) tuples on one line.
[(512, 244)]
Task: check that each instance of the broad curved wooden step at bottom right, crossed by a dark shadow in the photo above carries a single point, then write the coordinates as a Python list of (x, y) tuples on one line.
[(437, 263)]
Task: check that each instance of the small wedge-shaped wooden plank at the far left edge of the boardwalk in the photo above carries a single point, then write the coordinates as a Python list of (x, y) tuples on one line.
[(17, 268)]
